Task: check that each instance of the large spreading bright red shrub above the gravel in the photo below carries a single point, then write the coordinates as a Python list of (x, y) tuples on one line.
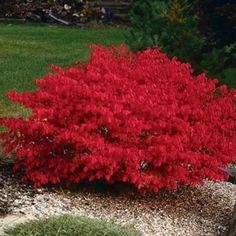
[(122, 117)]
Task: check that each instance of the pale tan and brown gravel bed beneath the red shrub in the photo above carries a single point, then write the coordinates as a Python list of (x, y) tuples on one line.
[(189, 211)]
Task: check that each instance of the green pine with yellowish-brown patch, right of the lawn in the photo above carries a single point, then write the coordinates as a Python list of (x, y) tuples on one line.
[(166, 24)]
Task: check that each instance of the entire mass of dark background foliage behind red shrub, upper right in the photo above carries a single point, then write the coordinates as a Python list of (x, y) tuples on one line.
[(184, 28)]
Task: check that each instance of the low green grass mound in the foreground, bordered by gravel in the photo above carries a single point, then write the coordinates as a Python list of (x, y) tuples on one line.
[(69, 226)]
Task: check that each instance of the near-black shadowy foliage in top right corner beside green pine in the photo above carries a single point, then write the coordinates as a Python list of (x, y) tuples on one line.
[(217, 21)]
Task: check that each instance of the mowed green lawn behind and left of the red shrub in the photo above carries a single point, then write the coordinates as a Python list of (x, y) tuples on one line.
[(26, 51)]
